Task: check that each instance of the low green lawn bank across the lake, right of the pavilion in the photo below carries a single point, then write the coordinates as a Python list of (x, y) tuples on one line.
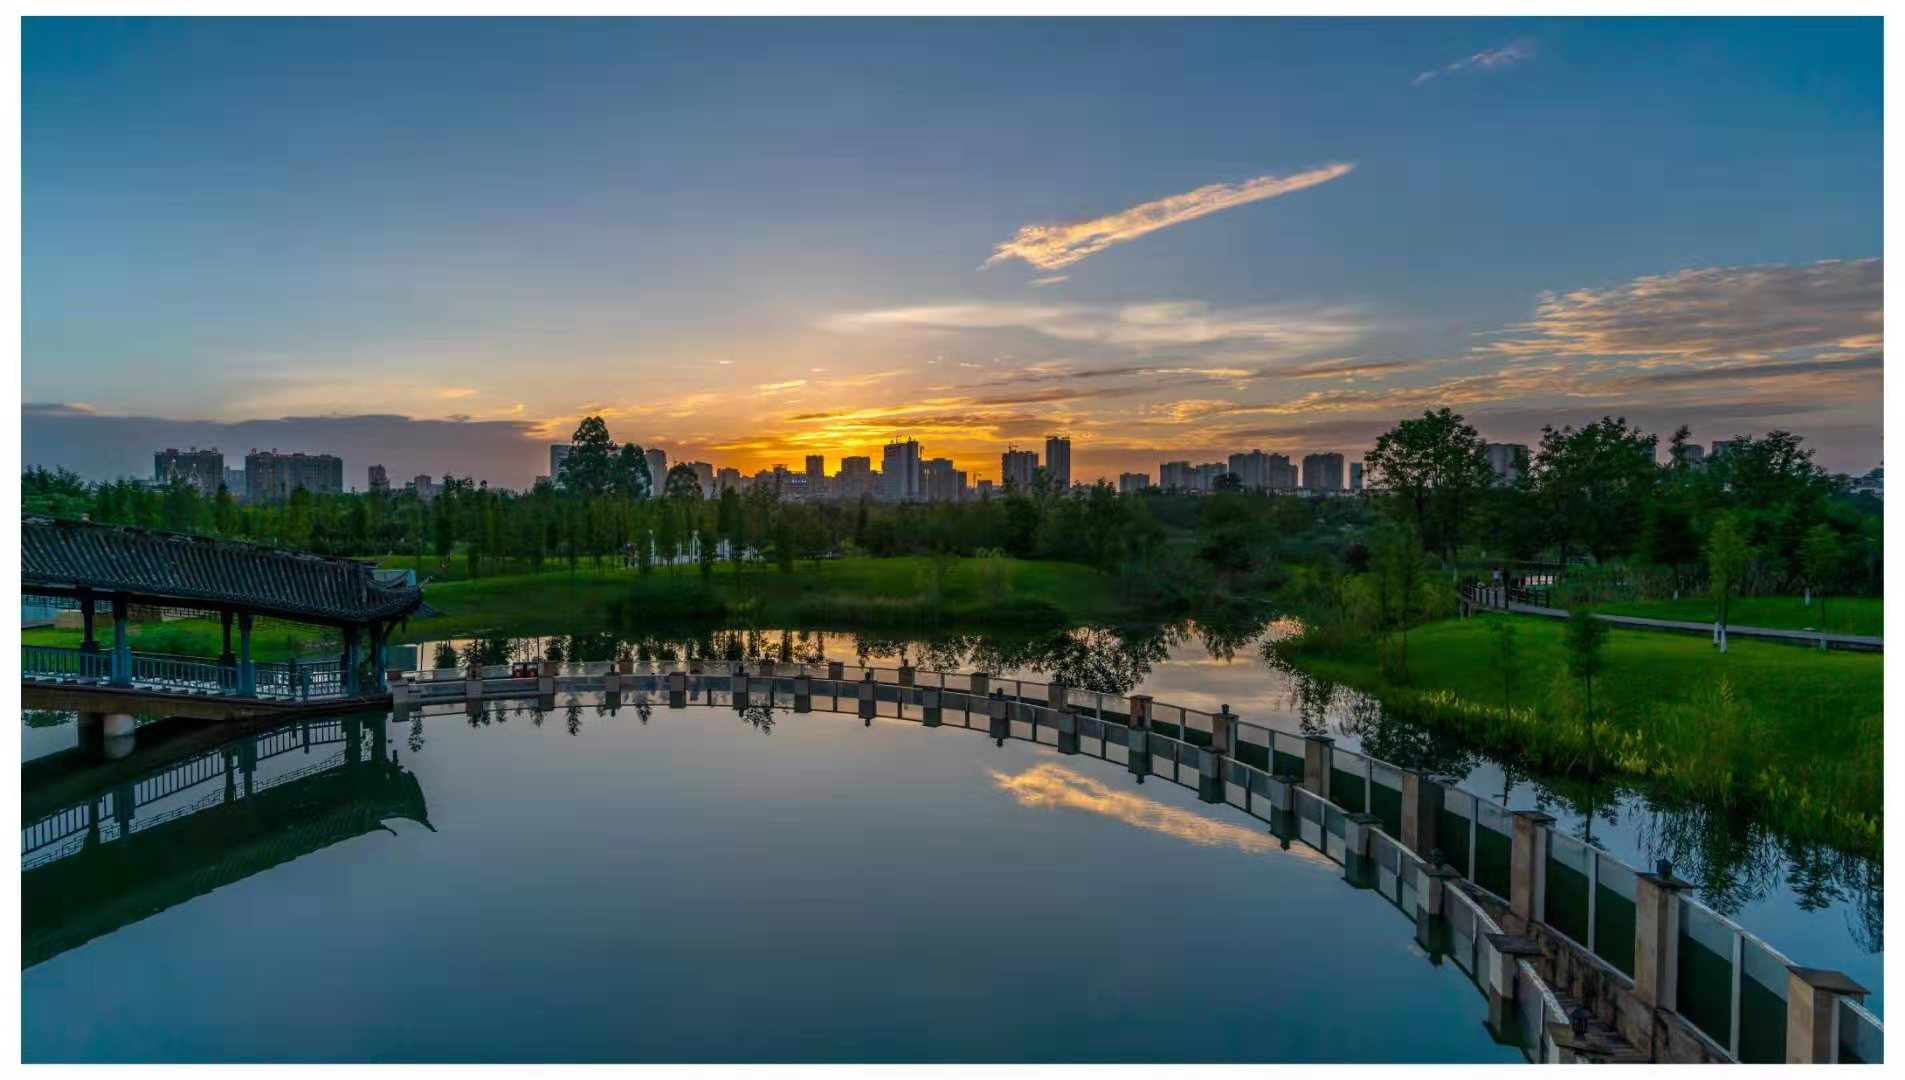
[(845, 593)]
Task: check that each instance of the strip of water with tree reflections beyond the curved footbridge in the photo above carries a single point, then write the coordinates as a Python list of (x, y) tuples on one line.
[(1731, 862)]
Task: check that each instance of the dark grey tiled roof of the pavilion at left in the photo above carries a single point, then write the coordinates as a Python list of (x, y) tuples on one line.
[(174, 567)]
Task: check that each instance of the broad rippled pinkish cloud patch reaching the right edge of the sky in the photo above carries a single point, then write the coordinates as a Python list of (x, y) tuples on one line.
[(1712, 315)]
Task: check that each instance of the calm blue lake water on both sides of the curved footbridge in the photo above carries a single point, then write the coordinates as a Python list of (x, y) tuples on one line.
[(687, 887)]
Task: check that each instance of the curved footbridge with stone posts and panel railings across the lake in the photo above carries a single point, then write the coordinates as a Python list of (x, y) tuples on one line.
[(1580, 957)]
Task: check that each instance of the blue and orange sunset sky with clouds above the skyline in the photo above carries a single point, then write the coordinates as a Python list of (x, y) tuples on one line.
[(437, 245)]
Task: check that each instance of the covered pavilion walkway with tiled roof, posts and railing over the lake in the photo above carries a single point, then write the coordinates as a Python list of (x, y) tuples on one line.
[(110, 572)]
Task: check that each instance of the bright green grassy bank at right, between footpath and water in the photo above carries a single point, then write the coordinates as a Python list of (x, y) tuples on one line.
[(1792, 738)]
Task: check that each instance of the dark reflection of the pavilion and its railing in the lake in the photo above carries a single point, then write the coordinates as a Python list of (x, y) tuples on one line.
[(155, 841)]
